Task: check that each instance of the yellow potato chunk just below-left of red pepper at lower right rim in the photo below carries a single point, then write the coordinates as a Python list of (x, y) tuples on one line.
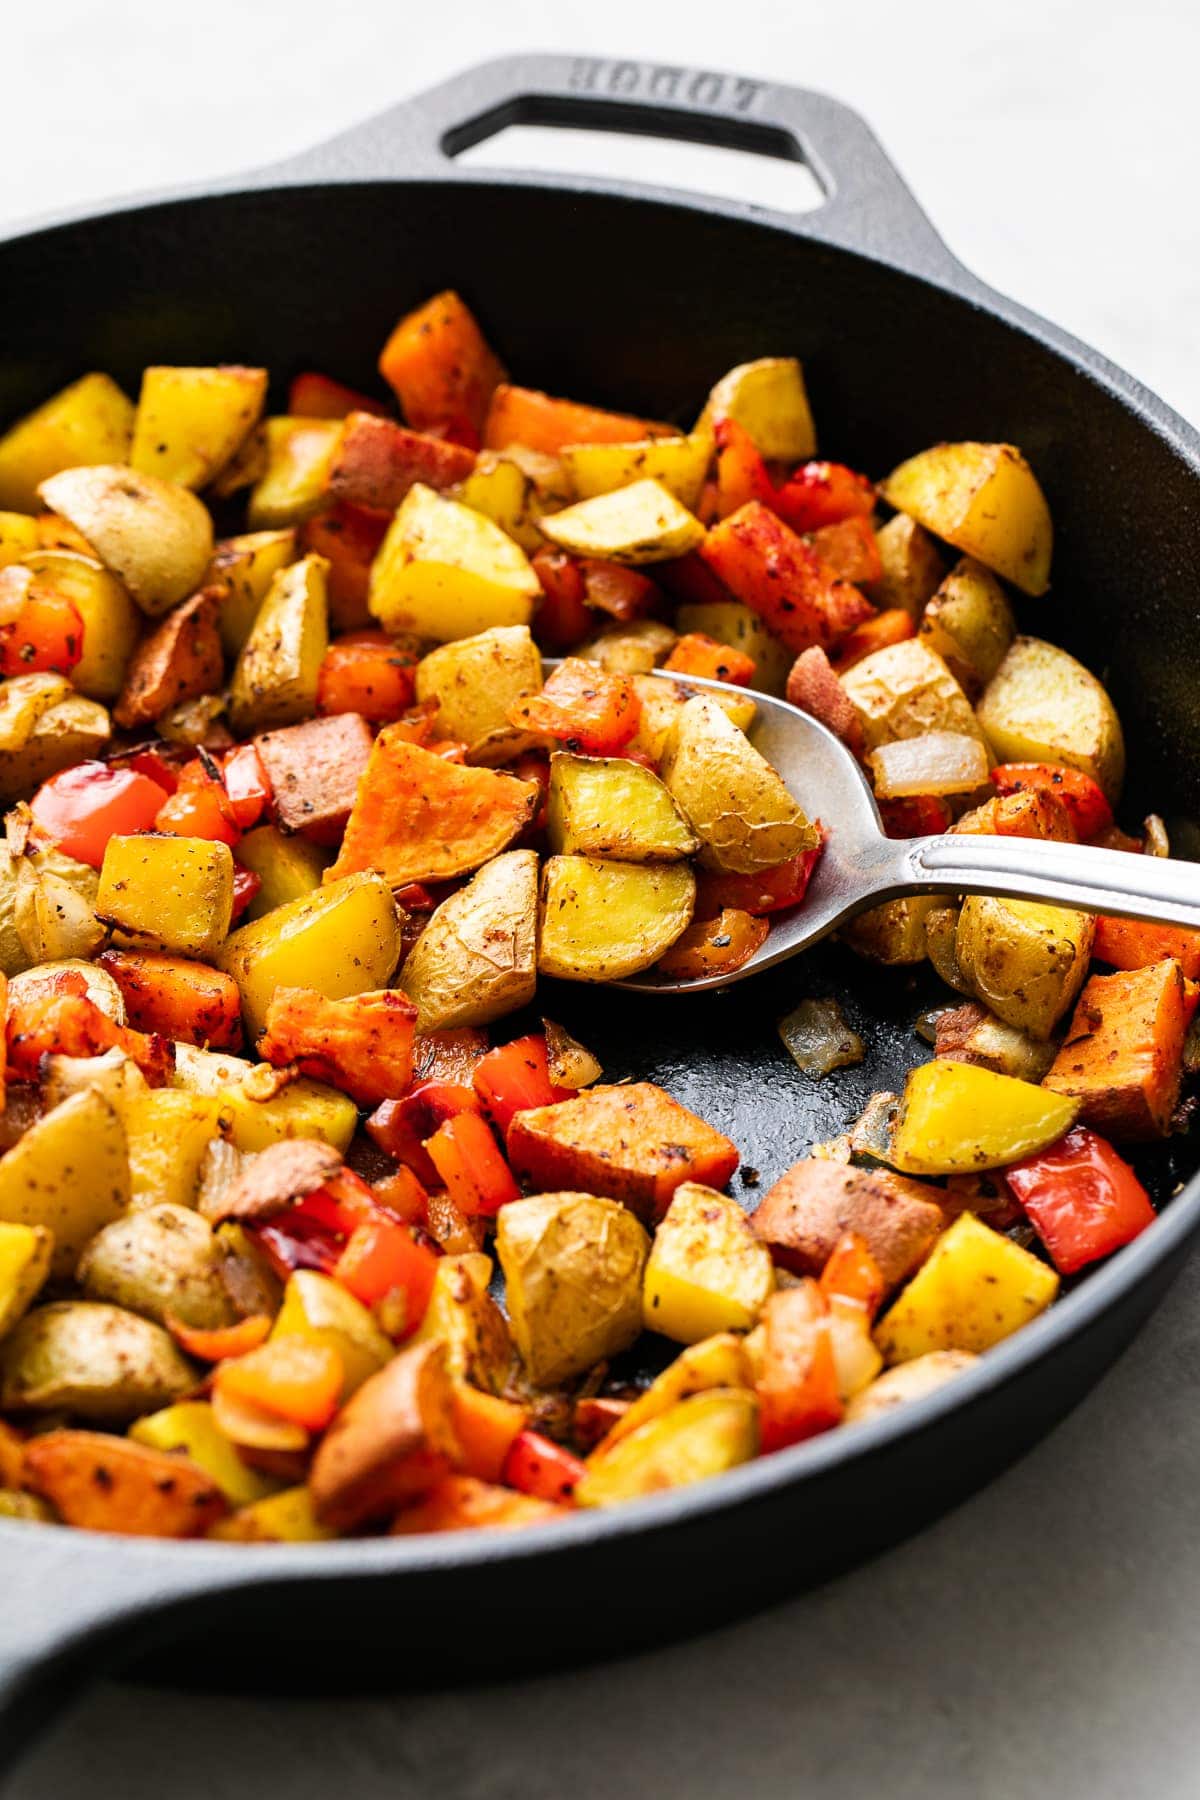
[(976, 1290)]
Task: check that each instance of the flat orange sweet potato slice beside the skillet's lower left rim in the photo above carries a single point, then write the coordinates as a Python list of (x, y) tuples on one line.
[(105, 1484)]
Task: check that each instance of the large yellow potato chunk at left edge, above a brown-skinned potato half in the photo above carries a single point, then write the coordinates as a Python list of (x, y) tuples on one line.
[(69, 1174)]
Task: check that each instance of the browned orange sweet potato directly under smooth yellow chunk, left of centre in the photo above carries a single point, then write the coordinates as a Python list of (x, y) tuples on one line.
[(361, 1045)]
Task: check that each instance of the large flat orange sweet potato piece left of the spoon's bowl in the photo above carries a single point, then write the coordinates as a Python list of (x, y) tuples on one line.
[(424, 820)]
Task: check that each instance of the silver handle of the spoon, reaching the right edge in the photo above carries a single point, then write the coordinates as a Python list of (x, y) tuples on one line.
[(1097, 881)]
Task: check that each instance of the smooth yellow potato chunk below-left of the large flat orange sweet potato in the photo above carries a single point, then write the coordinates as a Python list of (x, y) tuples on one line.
[(343, 939)]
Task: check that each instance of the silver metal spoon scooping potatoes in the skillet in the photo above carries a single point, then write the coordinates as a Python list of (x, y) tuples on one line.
[(861, 867)]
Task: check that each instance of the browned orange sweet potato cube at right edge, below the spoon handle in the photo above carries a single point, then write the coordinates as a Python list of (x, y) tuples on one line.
[(1124, 1056)]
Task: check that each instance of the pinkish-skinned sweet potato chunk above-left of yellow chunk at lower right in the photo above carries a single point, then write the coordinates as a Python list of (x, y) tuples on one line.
[(816, 1203)]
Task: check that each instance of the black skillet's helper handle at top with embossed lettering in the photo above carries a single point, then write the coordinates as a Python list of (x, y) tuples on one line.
[(866, 204)]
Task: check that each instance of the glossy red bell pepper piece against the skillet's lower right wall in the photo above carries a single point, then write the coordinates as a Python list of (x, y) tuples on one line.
[(1082, 1198)]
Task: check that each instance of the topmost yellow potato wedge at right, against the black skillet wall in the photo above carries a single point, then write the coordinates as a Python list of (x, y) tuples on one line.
[(987, 501)]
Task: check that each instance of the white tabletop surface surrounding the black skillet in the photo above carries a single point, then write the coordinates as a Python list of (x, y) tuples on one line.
[(1046, 1639)]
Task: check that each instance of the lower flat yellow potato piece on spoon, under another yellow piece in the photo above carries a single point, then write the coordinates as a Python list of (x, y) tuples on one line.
[(609, 921)]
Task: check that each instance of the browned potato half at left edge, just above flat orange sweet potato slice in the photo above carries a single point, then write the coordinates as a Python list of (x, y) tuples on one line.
[(96, 1362)]
